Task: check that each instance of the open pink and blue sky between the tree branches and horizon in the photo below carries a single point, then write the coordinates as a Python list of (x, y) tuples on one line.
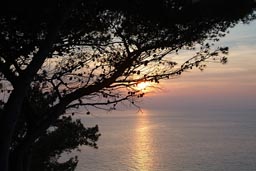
[(230, 87)]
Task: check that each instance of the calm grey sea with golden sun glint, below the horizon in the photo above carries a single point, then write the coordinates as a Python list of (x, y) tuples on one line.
[(171, 141)]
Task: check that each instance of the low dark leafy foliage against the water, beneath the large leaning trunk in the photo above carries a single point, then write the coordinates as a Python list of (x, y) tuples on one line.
[(67, 136)]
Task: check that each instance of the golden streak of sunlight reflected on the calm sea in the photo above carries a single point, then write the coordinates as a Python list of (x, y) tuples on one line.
[(143, 149)]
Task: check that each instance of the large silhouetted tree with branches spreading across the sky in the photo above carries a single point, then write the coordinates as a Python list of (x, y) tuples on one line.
[(92, 53)]
